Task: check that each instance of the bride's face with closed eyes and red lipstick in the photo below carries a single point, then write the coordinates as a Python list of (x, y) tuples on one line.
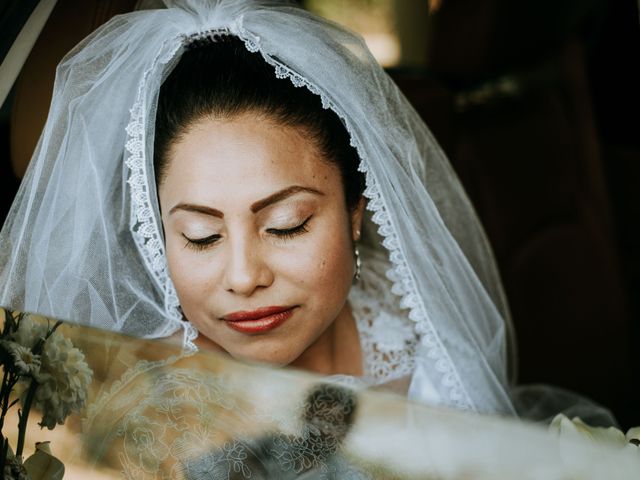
[(259, 240)]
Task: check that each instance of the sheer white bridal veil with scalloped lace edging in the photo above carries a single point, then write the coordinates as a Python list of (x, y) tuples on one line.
[(83, 240)]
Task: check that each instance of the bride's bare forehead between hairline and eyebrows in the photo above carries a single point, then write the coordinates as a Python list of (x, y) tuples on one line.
[(248, 155)]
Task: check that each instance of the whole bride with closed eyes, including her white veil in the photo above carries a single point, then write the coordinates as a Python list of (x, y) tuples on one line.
[(171, 192)]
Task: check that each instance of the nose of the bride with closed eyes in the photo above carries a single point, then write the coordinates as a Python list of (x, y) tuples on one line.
[(246, 268)]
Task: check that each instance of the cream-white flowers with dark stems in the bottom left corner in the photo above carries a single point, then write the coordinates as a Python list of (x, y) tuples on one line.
[(41, 370)]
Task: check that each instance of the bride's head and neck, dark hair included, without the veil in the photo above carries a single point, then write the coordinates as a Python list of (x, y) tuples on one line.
[(261, 204)]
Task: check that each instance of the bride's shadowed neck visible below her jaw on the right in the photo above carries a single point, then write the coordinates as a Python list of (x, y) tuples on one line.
[(337, 349)]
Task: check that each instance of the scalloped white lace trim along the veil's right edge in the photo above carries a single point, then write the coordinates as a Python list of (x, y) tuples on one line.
[(400, 274)]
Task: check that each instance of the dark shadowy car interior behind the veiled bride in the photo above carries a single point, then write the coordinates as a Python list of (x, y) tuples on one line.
[(536, 103)]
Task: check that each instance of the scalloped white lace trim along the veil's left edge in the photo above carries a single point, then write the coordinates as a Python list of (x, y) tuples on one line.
[(142, 224)]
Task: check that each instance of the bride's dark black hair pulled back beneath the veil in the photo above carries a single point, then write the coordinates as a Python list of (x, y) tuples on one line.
[(223, 79)]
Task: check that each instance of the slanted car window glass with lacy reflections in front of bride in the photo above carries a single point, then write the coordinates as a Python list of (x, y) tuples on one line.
[(153, 413)]
